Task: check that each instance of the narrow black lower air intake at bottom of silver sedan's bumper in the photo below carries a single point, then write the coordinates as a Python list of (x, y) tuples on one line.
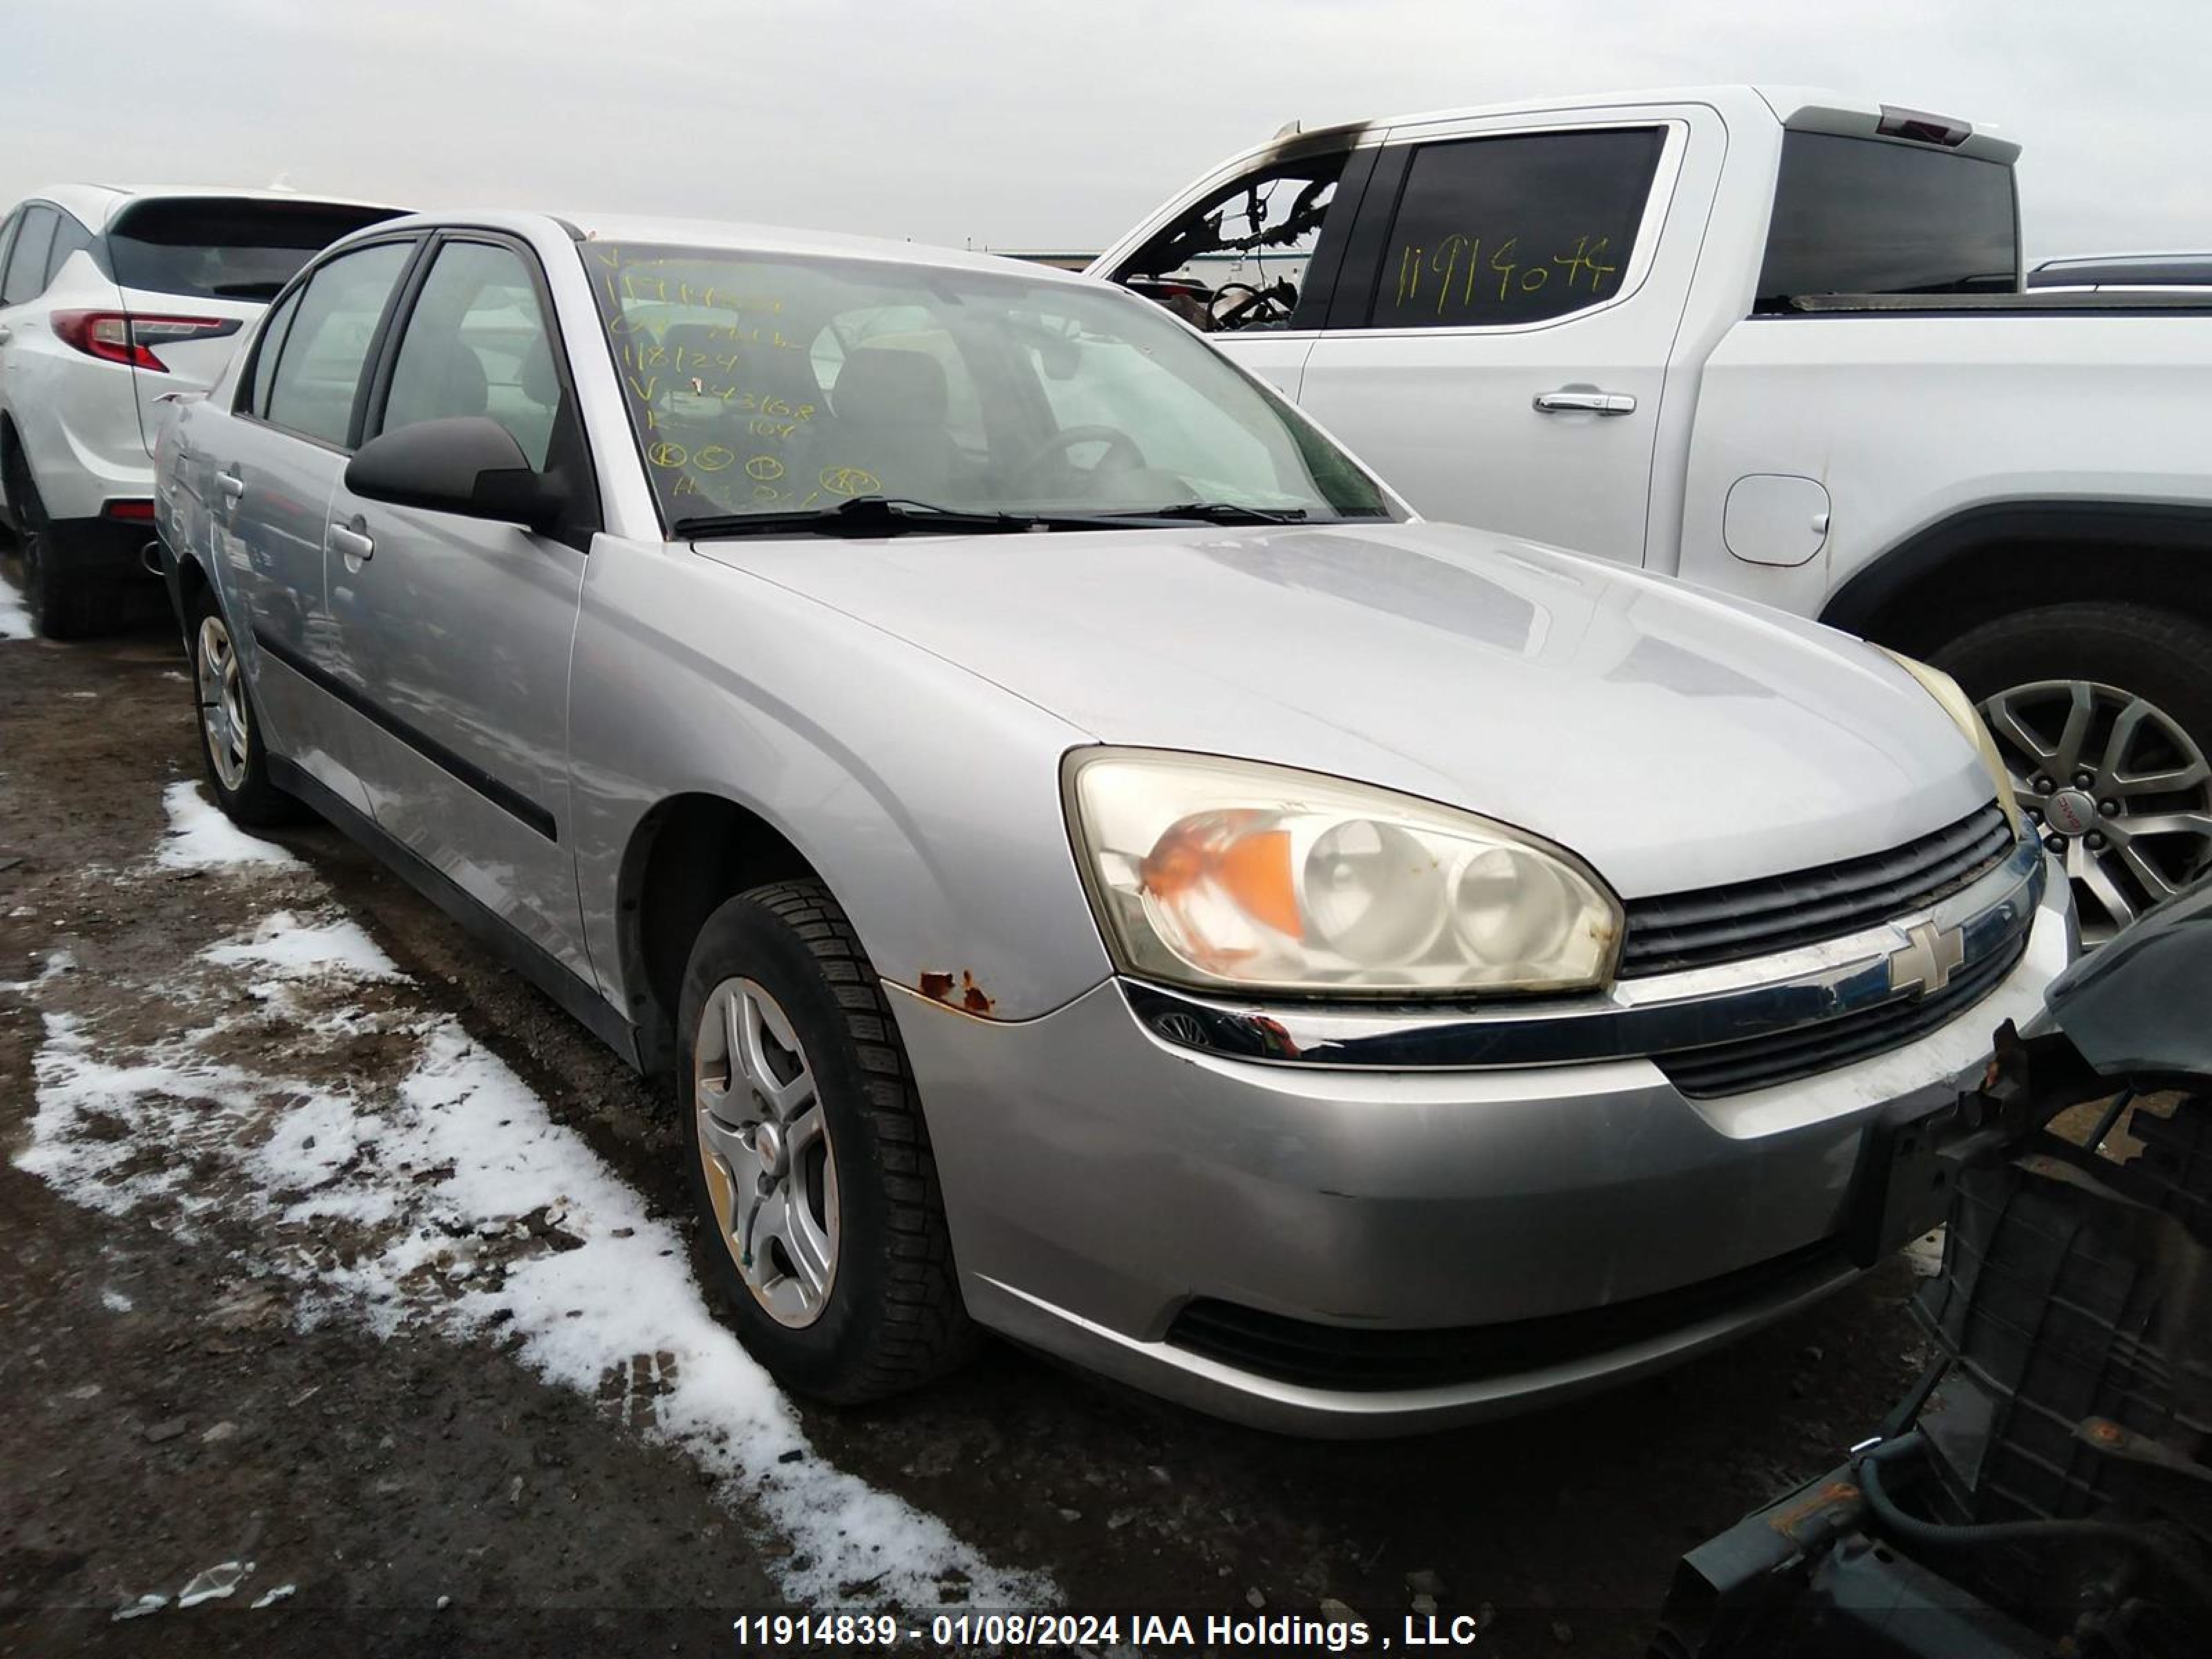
[(1366, 1361)]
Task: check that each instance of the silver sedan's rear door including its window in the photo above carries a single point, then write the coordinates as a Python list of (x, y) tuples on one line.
[(269, 479)]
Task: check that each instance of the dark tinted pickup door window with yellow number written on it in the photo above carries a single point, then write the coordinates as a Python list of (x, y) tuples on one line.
[(1503, 231)]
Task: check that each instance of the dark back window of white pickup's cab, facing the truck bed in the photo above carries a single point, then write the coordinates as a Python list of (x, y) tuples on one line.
[(1877, 218)]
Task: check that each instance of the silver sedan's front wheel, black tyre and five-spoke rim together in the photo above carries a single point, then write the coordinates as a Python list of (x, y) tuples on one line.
[(811, 1165)]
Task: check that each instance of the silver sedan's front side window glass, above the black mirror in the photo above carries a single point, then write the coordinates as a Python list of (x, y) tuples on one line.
[(479, 346)]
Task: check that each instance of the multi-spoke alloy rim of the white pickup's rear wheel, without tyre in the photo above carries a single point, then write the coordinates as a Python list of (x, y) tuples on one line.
[(2114, 786)]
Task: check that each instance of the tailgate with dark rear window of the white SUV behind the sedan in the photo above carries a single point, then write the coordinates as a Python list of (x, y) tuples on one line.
[(196, 271)]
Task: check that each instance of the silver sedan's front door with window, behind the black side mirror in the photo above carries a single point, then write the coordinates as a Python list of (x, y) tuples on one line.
[(457, 632)]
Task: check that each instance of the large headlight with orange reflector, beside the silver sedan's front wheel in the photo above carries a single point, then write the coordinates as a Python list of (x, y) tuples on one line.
[(1233, 875)]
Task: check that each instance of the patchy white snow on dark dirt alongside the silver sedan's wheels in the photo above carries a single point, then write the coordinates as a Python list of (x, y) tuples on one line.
[(439, 1193)]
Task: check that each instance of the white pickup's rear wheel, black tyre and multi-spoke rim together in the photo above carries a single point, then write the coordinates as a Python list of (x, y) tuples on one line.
[(2105, 716)]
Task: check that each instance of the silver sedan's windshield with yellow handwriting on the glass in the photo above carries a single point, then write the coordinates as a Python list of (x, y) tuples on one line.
[(786, 386)]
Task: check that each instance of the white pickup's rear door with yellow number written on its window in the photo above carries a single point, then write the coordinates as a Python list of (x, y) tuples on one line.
[(1499, 337)]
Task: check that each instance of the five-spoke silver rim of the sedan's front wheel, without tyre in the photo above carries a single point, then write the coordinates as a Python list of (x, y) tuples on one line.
[(764, 1145)]
